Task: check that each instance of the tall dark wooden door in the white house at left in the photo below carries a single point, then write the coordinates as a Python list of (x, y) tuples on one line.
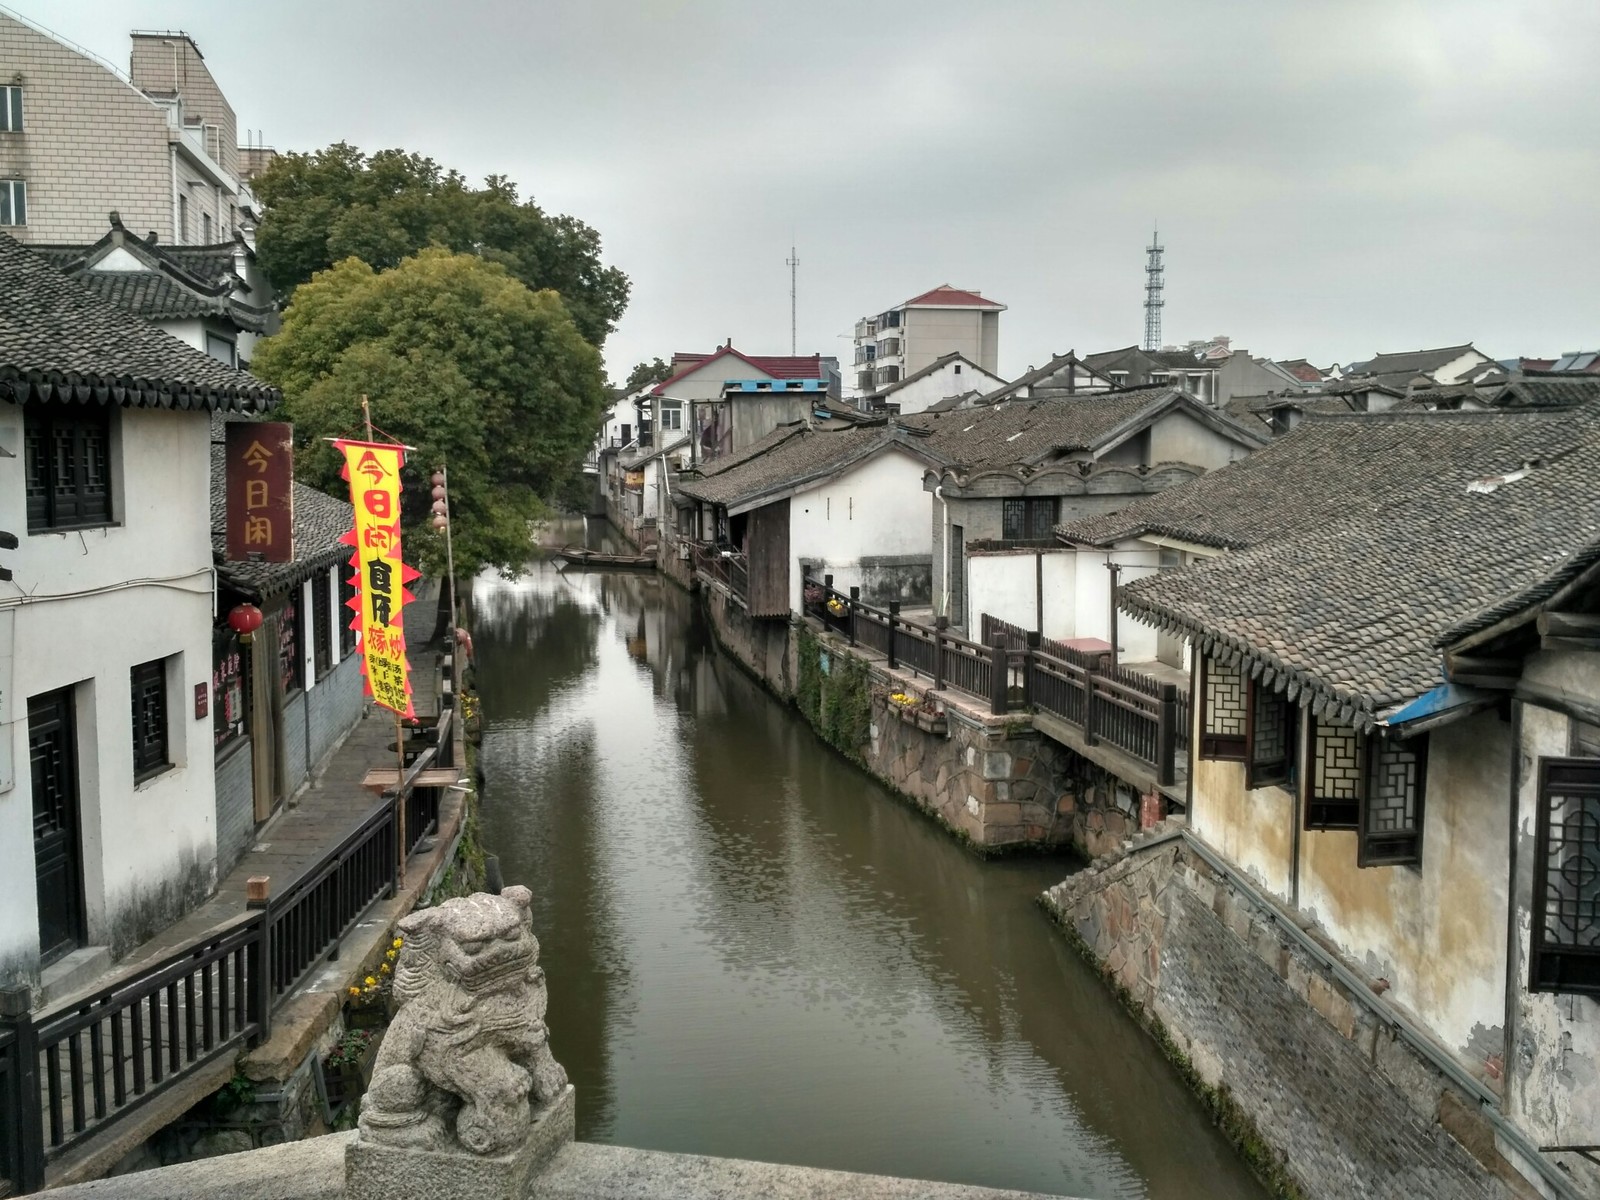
[(58, 844)]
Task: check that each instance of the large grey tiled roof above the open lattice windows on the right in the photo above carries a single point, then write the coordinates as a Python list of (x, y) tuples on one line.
[(1375, 540)]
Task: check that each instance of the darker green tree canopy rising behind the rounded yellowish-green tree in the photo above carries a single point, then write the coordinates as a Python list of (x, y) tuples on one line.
[(334, 204)]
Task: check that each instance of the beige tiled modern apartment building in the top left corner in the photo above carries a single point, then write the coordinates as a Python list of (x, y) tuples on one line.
[(81, 140)]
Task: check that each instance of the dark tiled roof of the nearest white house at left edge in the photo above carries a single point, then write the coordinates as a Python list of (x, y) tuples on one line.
[(60, 342)]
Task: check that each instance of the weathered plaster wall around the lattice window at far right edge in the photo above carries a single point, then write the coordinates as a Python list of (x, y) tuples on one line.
[(1554, 1082)]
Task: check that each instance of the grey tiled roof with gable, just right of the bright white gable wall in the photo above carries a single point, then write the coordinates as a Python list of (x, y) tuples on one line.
[(1028, 433)]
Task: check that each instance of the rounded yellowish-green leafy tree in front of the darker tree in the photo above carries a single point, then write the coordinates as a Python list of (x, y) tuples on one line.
[(457, 359)]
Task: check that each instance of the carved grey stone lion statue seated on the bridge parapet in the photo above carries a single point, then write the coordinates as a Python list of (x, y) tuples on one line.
[(466, 1060)]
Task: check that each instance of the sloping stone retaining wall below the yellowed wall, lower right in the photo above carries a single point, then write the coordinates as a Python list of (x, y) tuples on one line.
[(1319, 1090)]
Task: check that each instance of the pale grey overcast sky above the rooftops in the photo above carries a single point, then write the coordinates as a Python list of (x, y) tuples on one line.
[(1332, 178)]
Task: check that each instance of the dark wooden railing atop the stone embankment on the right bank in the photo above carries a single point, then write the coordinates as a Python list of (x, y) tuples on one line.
[(1015, 670)]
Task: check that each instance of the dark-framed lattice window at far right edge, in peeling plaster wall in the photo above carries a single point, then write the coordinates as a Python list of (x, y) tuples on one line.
[(1567, 879)]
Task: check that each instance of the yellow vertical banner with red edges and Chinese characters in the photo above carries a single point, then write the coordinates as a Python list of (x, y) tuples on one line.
[(380, 580)]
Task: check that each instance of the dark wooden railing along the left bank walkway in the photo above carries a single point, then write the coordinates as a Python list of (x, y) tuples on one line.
[(78, 1070)]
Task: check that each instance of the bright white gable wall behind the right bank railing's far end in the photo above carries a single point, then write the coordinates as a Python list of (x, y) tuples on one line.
[(878, 508)]
